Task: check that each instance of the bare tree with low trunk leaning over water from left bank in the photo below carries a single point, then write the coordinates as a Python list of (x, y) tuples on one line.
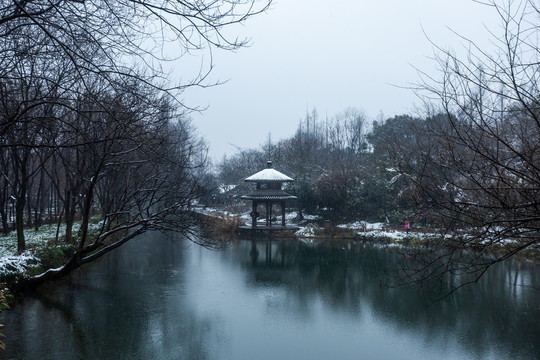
[(138, 168)]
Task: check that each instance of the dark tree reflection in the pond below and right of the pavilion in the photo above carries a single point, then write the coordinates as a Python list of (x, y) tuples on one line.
[(353, 277)]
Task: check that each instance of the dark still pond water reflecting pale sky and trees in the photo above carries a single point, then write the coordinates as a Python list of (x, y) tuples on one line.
[(160, 299)]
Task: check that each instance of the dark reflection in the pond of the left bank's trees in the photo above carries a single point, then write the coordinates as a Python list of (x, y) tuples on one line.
[(129, 299)]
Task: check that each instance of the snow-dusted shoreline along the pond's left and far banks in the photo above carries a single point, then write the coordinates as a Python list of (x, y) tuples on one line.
[(225, 226)]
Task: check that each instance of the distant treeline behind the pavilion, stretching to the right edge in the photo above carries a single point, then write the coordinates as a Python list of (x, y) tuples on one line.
[(446, 169)]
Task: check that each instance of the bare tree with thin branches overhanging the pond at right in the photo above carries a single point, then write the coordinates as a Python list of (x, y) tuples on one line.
[(482, 168)]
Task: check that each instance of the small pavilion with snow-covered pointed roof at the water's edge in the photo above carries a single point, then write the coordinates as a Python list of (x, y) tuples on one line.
[(268, 193)]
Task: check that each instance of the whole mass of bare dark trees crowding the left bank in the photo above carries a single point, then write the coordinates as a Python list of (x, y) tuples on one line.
[(86, 83)]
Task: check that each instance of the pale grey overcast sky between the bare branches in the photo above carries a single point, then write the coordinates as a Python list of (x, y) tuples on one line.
[(328, 55)]
